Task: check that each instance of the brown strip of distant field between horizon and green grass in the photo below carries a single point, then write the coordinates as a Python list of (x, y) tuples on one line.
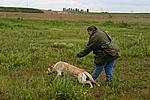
[(59, 15)]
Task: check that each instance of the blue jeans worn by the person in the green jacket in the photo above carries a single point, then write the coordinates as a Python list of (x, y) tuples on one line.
[(108, 70)]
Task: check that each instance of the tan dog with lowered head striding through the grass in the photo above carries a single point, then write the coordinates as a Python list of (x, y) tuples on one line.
[(83, 76)]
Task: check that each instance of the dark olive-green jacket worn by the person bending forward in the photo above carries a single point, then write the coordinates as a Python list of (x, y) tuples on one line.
[(102, 47)]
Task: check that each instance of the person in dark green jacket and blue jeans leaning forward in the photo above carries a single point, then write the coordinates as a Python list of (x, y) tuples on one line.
[(106, 52)]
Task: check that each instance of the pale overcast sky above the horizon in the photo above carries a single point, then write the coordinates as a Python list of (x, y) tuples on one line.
[(94, 5)]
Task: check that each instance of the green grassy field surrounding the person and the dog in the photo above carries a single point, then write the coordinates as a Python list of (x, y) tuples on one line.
[(28, 46)]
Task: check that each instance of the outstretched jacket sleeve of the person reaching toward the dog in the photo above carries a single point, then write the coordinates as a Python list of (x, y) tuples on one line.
[(90, 46)]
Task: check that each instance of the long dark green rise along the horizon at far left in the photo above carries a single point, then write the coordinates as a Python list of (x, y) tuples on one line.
[(17, 9)]
